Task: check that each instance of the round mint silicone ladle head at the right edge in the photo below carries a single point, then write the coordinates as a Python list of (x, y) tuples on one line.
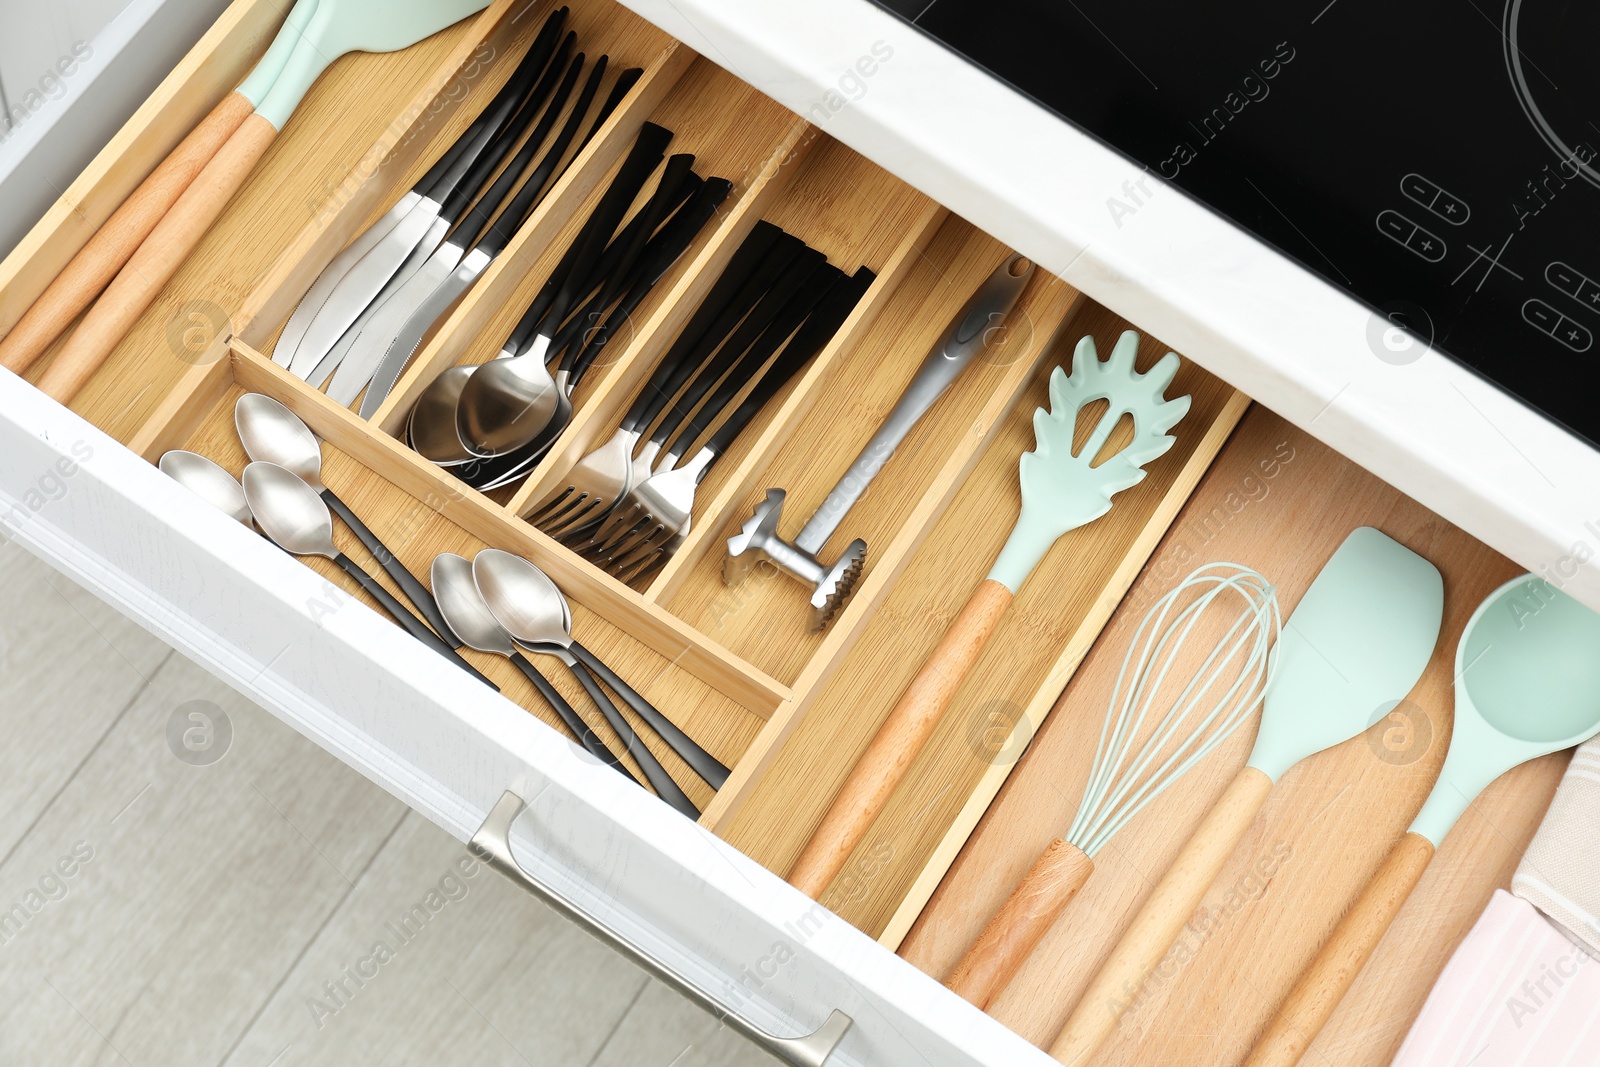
[(1527, 685)]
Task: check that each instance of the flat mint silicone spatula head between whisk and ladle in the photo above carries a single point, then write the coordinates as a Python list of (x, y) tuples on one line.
[(1354, 647)]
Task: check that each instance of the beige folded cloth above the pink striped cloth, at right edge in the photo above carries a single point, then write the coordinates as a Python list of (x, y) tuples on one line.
[(1561, 871)]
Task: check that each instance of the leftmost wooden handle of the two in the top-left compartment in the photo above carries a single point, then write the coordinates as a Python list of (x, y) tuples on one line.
[(113, 244)]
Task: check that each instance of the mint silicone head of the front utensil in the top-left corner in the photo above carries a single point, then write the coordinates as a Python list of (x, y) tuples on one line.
[(342, 26)]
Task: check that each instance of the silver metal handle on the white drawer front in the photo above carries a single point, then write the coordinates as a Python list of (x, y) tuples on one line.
[(494, 845)]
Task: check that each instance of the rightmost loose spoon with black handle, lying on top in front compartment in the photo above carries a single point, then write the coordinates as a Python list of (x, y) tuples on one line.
[(535, 612)]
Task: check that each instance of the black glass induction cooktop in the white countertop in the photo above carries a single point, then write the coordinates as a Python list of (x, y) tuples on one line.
[(1436, 159)]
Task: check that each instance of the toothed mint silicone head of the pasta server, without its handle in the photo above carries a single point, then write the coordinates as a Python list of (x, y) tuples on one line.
[(1063, 490)]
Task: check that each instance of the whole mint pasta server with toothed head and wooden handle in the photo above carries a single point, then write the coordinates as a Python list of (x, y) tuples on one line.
[(1062, 492)]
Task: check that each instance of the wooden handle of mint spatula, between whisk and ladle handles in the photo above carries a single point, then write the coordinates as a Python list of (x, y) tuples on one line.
[(1121, 980)]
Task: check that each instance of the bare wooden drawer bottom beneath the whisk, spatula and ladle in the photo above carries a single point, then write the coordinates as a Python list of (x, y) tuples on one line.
[(1281, 503)]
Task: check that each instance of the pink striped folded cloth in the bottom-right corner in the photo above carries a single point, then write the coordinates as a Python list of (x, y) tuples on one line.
[(1518, 994)]
